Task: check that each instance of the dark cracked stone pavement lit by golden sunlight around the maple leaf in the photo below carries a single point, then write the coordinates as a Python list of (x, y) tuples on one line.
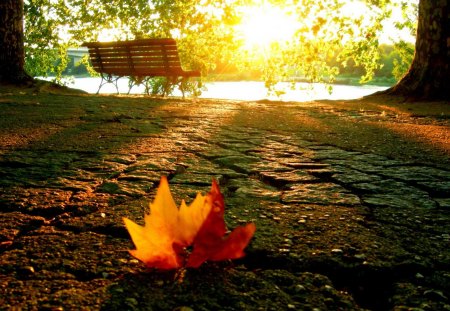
[(375, 226)]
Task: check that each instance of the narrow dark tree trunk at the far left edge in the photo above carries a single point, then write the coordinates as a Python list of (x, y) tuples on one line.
[(11, 42)]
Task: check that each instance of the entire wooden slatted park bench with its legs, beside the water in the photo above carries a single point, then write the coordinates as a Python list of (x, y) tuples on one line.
[(139, 60)]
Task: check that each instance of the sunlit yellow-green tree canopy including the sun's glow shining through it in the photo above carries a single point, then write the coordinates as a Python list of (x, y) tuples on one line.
[(283, 40)]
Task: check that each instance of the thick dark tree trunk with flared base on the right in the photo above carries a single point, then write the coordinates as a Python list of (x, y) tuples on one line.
[(428, 76)]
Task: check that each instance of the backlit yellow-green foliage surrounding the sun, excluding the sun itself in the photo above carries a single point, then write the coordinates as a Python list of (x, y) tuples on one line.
[(206, 33)]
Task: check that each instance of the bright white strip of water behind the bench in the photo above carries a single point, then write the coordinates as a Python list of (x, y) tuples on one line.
[(247, 90)]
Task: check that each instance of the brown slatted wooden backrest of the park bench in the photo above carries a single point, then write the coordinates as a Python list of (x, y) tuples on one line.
[(143, 57)]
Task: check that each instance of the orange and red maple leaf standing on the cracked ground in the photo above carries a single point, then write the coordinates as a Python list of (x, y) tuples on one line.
[(168, 231)]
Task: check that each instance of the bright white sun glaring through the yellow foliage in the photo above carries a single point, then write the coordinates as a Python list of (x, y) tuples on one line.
[(265, 24)]
